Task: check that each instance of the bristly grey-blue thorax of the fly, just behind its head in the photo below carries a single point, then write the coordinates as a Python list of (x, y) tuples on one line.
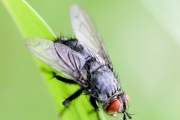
[(102, 82)]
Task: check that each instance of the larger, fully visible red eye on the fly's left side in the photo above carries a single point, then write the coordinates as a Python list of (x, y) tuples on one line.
[(113, 107)]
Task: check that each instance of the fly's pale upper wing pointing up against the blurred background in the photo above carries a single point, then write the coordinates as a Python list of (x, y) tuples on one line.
[(88, 36)]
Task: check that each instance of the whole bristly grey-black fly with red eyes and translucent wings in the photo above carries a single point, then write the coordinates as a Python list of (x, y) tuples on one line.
[(84, 61)]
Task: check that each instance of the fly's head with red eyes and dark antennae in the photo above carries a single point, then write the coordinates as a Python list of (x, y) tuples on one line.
[(118, 104)]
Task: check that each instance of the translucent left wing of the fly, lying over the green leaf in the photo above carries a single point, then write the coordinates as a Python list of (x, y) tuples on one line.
[(57, 56)]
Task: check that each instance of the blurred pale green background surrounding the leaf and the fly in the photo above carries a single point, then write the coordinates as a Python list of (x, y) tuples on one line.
[(142, 38)]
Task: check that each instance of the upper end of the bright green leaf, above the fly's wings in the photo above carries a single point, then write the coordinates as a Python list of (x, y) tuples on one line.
[(28, 21)]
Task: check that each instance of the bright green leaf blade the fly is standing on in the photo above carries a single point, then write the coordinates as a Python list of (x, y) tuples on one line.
[(32, 25)]
